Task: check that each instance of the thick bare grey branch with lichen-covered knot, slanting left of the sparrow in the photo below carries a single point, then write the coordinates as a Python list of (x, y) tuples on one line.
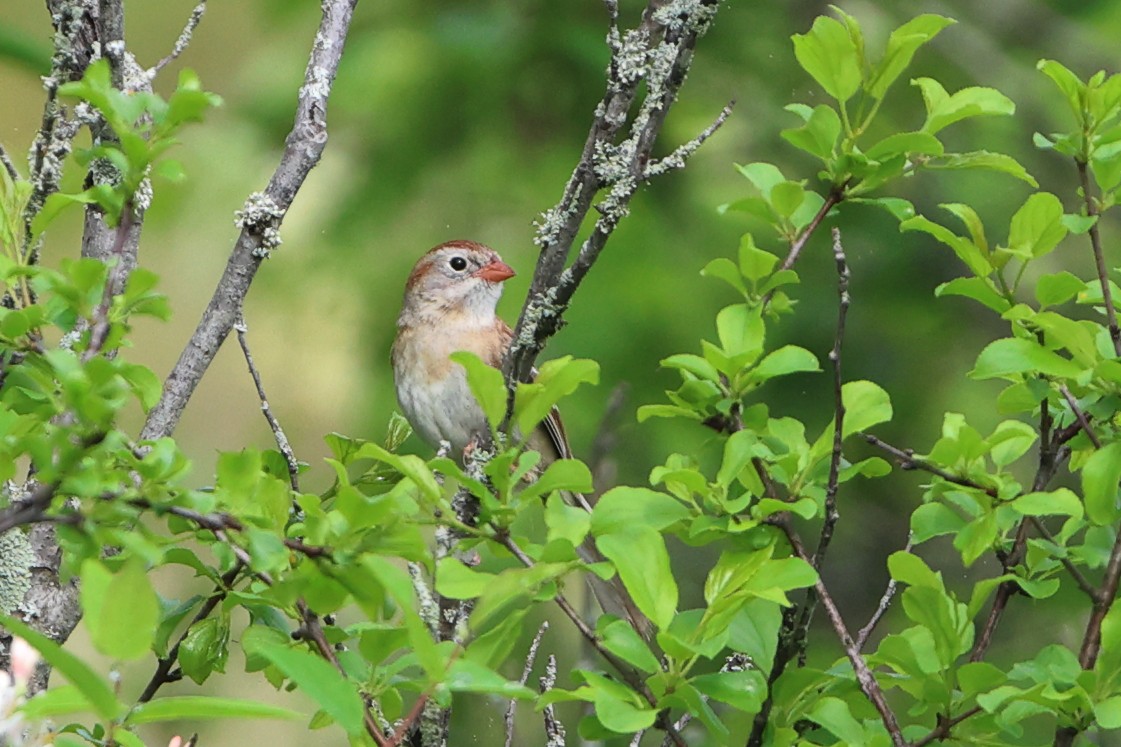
[(261, 220)]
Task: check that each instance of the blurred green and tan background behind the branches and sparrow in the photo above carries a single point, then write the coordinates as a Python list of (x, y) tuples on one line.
[(465, 119)]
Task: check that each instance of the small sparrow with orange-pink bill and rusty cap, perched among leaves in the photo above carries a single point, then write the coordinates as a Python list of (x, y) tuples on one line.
[(450, 302)]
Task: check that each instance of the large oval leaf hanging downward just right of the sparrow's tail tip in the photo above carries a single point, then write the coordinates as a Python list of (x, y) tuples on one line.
[(641, 557)]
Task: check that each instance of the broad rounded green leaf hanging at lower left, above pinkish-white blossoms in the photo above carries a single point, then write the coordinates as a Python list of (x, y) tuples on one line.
[(122, 610)]
